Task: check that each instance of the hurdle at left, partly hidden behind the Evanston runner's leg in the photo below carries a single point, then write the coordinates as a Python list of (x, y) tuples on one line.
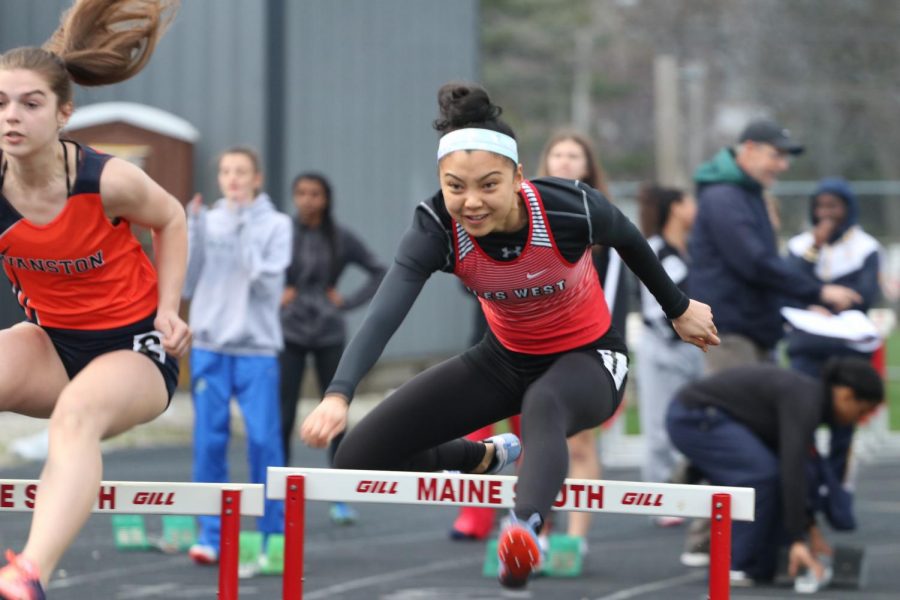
[(228, 500)]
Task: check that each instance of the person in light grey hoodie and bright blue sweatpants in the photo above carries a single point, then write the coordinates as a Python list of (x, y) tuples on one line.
[(238, 251)]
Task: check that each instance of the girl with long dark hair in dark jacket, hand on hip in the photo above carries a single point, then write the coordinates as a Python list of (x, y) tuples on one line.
[(312, 310)]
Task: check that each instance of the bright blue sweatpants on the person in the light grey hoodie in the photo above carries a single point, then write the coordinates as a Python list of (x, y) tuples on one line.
[(253, 381)]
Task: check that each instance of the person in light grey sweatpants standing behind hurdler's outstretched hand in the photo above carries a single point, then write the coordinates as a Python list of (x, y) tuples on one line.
[(663, 364)]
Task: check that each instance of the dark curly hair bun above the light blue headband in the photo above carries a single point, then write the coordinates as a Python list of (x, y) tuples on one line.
[(465, 105)]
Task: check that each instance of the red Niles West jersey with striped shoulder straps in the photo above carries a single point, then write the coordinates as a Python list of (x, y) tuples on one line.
[(538, 302)]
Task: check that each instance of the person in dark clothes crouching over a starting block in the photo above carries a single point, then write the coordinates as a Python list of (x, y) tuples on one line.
[(754, 426)]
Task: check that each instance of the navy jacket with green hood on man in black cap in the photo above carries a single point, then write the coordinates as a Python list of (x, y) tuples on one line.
[(735, 266)]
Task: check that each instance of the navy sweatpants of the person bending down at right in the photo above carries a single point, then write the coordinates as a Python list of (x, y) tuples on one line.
[(728, 453)]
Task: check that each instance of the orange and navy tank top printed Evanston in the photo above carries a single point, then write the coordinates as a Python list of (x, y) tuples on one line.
[(79, 271)]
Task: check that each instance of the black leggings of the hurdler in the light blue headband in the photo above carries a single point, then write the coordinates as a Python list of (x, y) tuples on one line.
[(421, 425)]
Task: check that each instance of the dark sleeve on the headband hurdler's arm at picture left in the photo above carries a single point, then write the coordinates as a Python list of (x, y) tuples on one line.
[(422, 251)]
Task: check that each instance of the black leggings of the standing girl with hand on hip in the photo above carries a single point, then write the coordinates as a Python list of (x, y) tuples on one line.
[(293, 364)]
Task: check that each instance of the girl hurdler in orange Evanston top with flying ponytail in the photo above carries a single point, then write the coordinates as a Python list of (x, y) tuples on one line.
[(98, 352)]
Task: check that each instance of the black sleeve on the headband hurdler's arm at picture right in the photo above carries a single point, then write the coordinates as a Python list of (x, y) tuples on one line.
[(609, 227)]
